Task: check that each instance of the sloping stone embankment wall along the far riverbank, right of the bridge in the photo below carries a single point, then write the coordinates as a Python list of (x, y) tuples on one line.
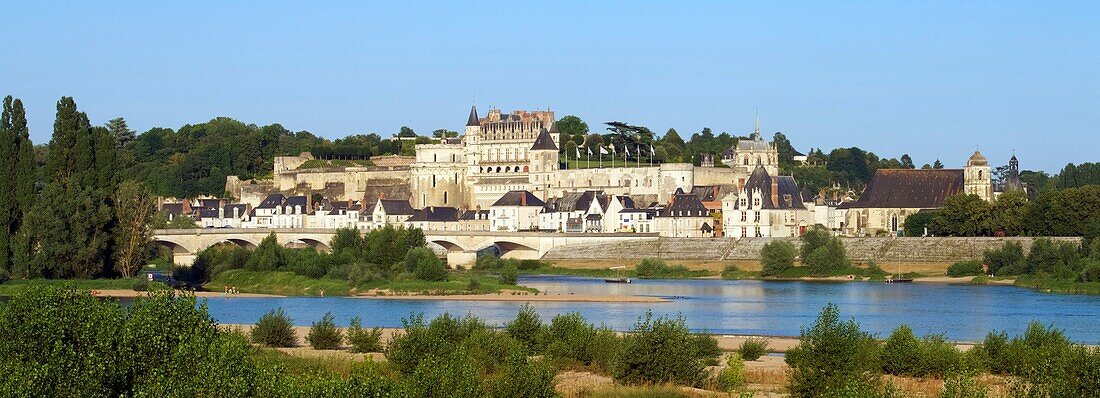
[(884, 250)]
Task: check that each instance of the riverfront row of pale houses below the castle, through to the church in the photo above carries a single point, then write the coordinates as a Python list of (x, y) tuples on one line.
[(761, 206)]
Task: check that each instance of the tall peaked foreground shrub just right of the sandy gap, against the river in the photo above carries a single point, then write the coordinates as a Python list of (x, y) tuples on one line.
[(831, 356)]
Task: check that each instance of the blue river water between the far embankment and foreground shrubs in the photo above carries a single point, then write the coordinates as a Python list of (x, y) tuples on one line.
[(963, 313)]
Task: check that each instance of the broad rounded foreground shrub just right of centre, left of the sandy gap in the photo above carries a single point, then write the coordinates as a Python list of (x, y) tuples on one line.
[(661, 351)]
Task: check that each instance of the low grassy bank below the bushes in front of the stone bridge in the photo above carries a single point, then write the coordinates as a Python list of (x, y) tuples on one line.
[(290, 284)]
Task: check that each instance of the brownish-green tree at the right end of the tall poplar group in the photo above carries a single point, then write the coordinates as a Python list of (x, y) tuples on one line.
[(134, 209)]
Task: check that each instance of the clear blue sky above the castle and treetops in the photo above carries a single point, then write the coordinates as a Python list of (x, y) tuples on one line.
[(933, 80)]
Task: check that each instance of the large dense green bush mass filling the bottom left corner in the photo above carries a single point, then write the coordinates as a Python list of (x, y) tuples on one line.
[(62, 342)]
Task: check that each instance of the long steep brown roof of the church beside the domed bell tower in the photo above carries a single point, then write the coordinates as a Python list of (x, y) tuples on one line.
[(909, 190)]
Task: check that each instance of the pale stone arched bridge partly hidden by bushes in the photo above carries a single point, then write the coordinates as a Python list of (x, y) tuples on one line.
[(461, 248)]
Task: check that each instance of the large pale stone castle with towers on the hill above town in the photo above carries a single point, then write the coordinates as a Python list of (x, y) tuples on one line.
[(498, 154)]
